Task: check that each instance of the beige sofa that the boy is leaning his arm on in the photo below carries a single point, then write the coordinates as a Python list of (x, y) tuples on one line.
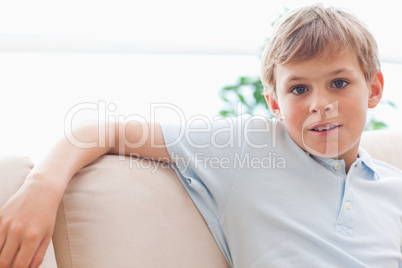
[(128, 213)]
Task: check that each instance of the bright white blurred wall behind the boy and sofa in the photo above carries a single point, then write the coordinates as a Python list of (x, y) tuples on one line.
[(40, 88)]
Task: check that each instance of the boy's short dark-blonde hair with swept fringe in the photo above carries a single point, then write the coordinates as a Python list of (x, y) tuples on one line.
[(307, 32)]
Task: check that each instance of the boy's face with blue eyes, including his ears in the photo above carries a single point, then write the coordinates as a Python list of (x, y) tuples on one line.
[(323, 103)]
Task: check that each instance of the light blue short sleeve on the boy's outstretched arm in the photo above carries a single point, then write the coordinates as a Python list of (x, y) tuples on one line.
[(205, 153)]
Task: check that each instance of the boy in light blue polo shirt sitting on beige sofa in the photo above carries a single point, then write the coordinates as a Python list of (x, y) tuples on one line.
[(294, 193)]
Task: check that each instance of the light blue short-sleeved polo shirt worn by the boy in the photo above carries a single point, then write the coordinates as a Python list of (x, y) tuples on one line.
[(270, 204)]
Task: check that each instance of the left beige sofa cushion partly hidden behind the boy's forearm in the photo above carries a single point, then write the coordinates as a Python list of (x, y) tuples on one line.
[(13, 171)]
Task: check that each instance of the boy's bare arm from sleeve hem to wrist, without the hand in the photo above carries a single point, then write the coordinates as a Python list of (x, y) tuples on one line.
[(70, 155)]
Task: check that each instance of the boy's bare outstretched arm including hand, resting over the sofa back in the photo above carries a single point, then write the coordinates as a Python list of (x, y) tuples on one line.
[(27, 219)]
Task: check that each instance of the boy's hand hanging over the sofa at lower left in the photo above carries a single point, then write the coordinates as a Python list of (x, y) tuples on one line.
[(26, 225)]
